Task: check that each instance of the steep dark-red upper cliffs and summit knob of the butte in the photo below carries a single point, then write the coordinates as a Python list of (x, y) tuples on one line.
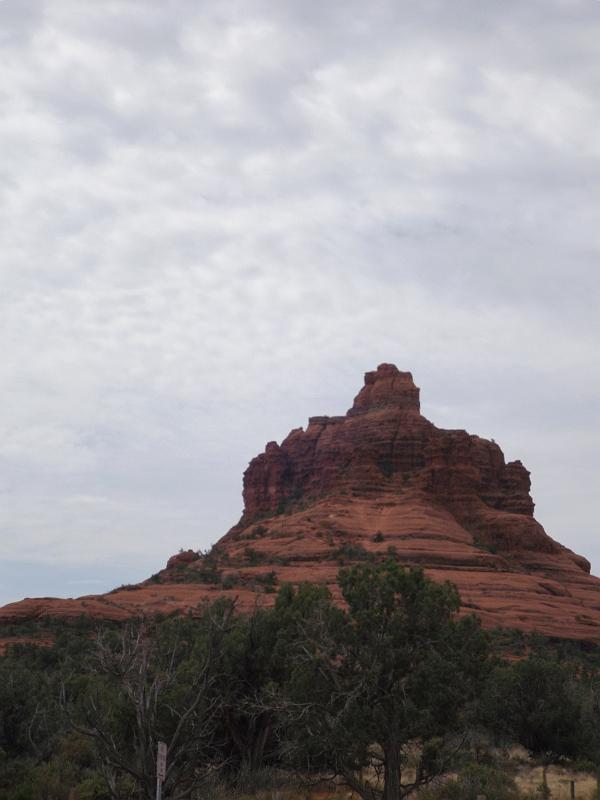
[(383, 446)]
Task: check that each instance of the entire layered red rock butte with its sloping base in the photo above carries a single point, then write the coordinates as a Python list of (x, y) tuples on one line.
[(381, 481)]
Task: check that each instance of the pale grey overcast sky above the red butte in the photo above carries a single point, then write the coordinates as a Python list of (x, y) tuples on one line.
[(216, 216)]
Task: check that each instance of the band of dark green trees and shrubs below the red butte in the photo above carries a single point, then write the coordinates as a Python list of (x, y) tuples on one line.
[(386, 694)]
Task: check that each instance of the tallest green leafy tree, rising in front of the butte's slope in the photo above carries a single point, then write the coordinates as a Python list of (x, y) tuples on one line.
[(385, 685)]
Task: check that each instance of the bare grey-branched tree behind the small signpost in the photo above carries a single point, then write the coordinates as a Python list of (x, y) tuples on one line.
[(151, 683)]
